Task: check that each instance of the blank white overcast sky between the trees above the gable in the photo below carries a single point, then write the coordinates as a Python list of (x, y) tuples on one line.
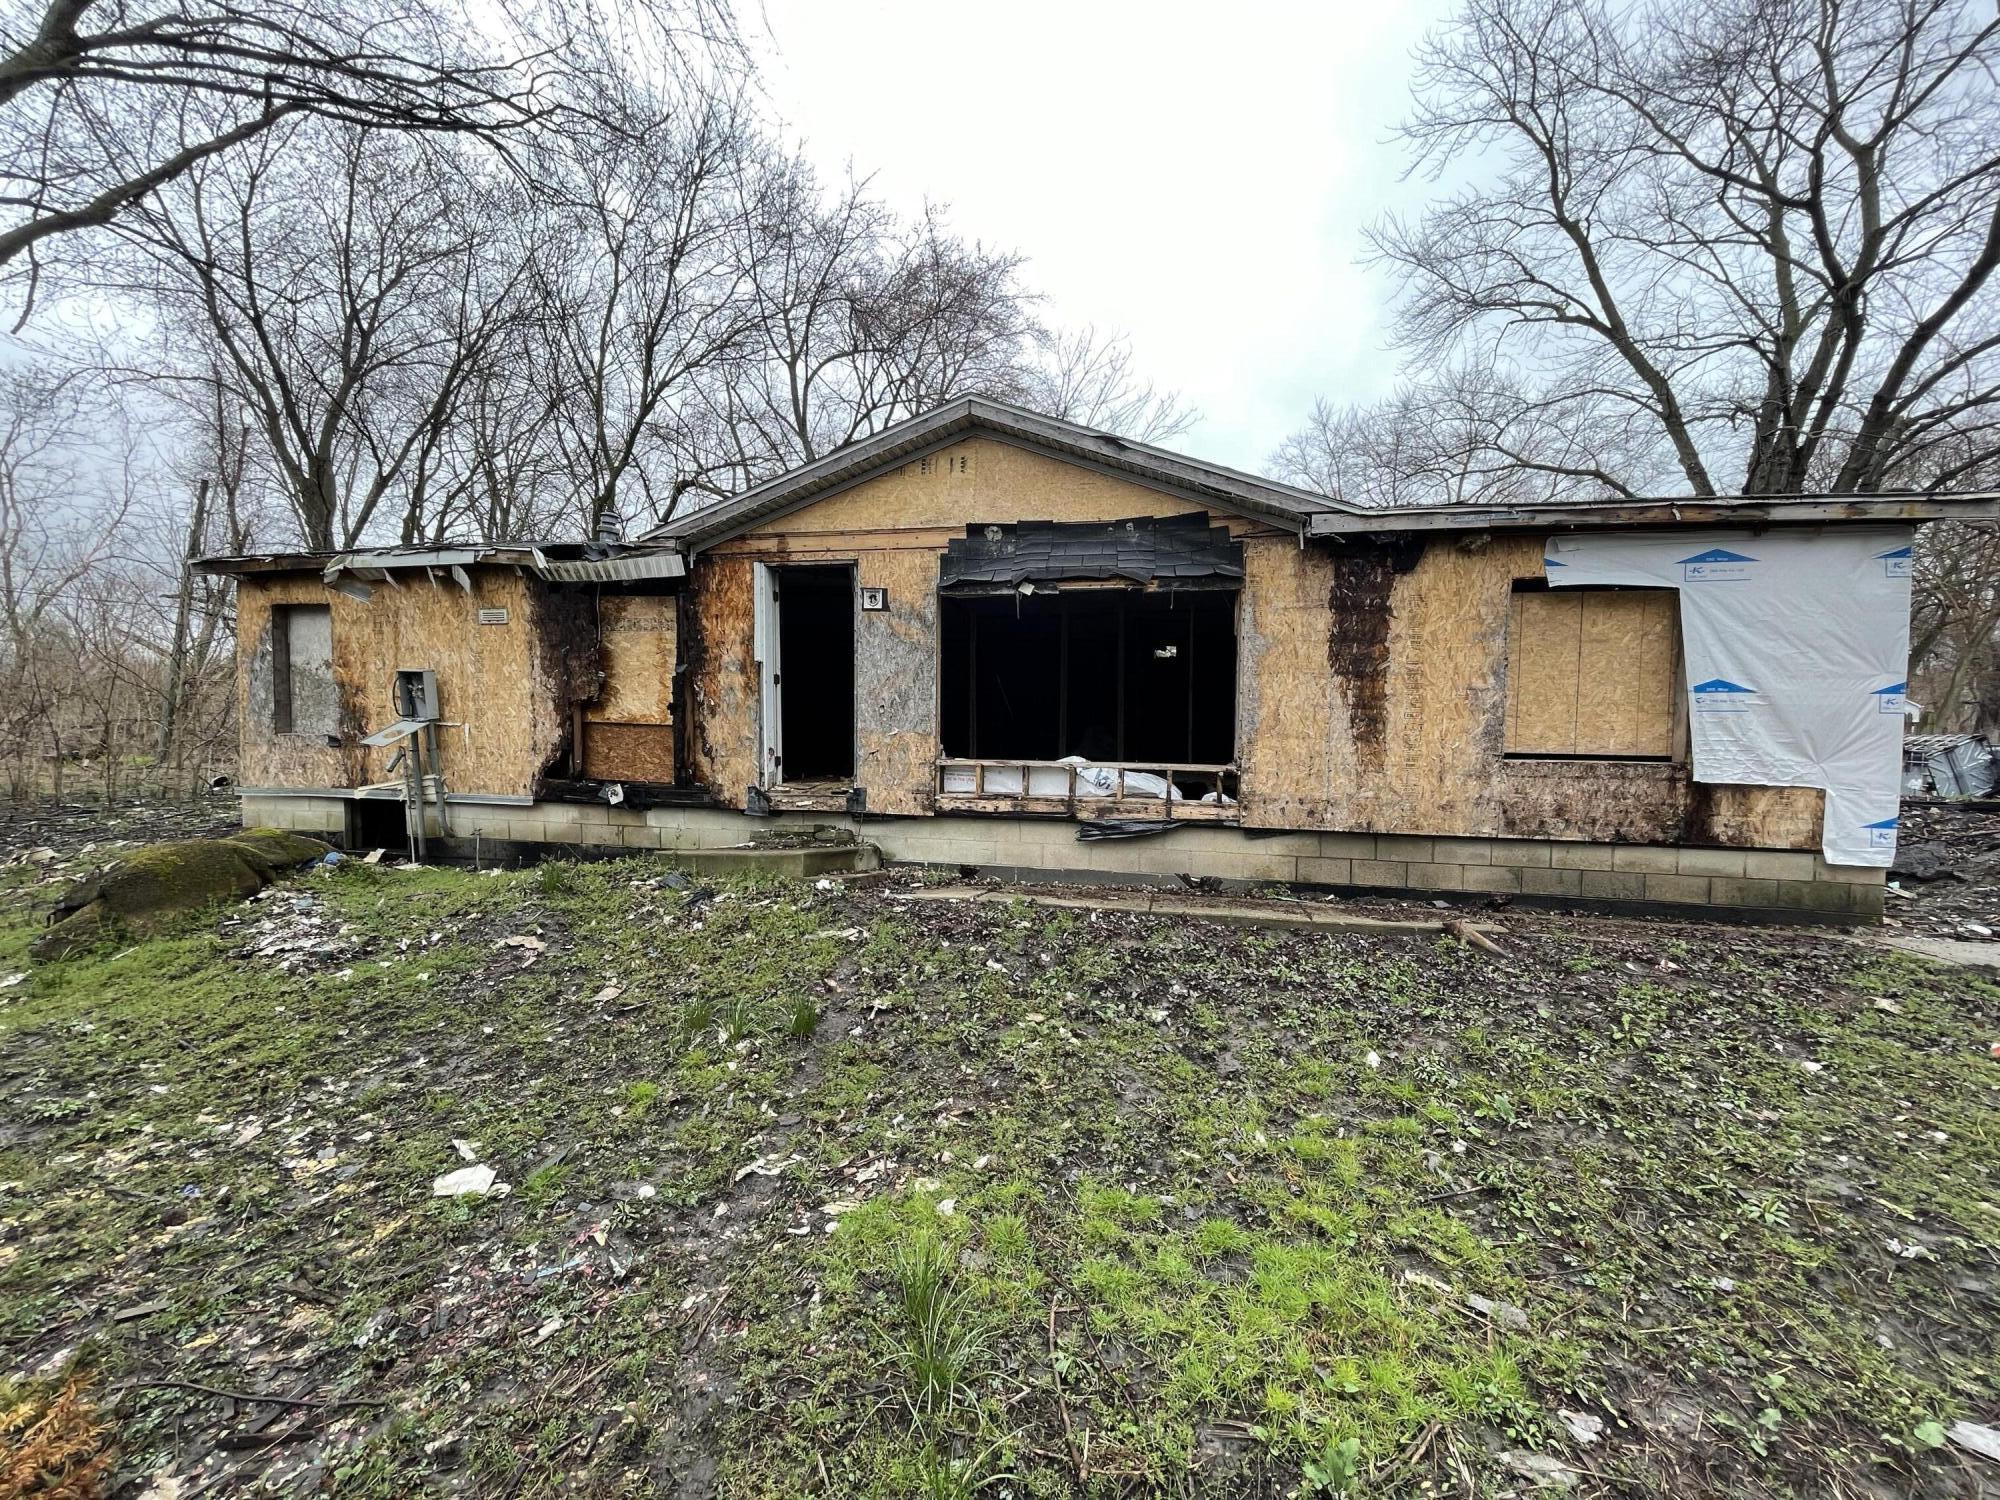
[(1195, 175)]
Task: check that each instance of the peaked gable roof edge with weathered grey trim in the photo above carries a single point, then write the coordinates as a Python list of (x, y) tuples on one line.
[(1191, 479)]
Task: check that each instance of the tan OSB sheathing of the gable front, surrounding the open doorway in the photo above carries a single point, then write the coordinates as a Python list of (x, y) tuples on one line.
[(893, 529)]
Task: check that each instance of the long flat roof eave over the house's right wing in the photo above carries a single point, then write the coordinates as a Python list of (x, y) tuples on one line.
[(1745, 511)]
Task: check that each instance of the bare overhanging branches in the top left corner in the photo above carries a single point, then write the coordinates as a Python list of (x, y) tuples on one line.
[(107, 101)]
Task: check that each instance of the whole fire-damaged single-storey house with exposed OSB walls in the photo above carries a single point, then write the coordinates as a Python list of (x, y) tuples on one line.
[(997, 639)]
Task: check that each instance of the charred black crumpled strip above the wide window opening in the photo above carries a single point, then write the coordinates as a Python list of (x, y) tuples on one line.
[(1167, 553)]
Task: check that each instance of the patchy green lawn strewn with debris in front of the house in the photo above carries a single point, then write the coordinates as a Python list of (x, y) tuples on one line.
[(825, 1193)]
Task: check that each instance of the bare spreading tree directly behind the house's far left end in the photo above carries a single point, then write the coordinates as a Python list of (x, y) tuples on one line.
[(347, 289)]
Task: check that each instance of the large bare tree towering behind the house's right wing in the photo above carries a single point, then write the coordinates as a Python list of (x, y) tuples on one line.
[(1751, 241)]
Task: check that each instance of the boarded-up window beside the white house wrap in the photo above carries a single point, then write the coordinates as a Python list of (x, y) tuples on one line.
[(1591, 673)]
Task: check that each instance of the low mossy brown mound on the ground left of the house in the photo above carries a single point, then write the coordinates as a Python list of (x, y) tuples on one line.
[(153, 883)]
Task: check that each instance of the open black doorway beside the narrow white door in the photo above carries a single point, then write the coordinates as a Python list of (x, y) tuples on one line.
[(817, 673)]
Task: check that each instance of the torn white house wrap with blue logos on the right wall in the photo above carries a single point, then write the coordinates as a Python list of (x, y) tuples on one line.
[(1797, 649)]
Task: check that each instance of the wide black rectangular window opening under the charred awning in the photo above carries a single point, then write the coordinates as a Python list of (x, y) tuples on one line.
[(1111, 675)]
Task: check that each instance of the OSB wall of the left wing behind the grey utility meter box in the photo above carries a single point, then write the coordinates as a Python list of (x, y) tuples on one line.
[(505, 713)]
